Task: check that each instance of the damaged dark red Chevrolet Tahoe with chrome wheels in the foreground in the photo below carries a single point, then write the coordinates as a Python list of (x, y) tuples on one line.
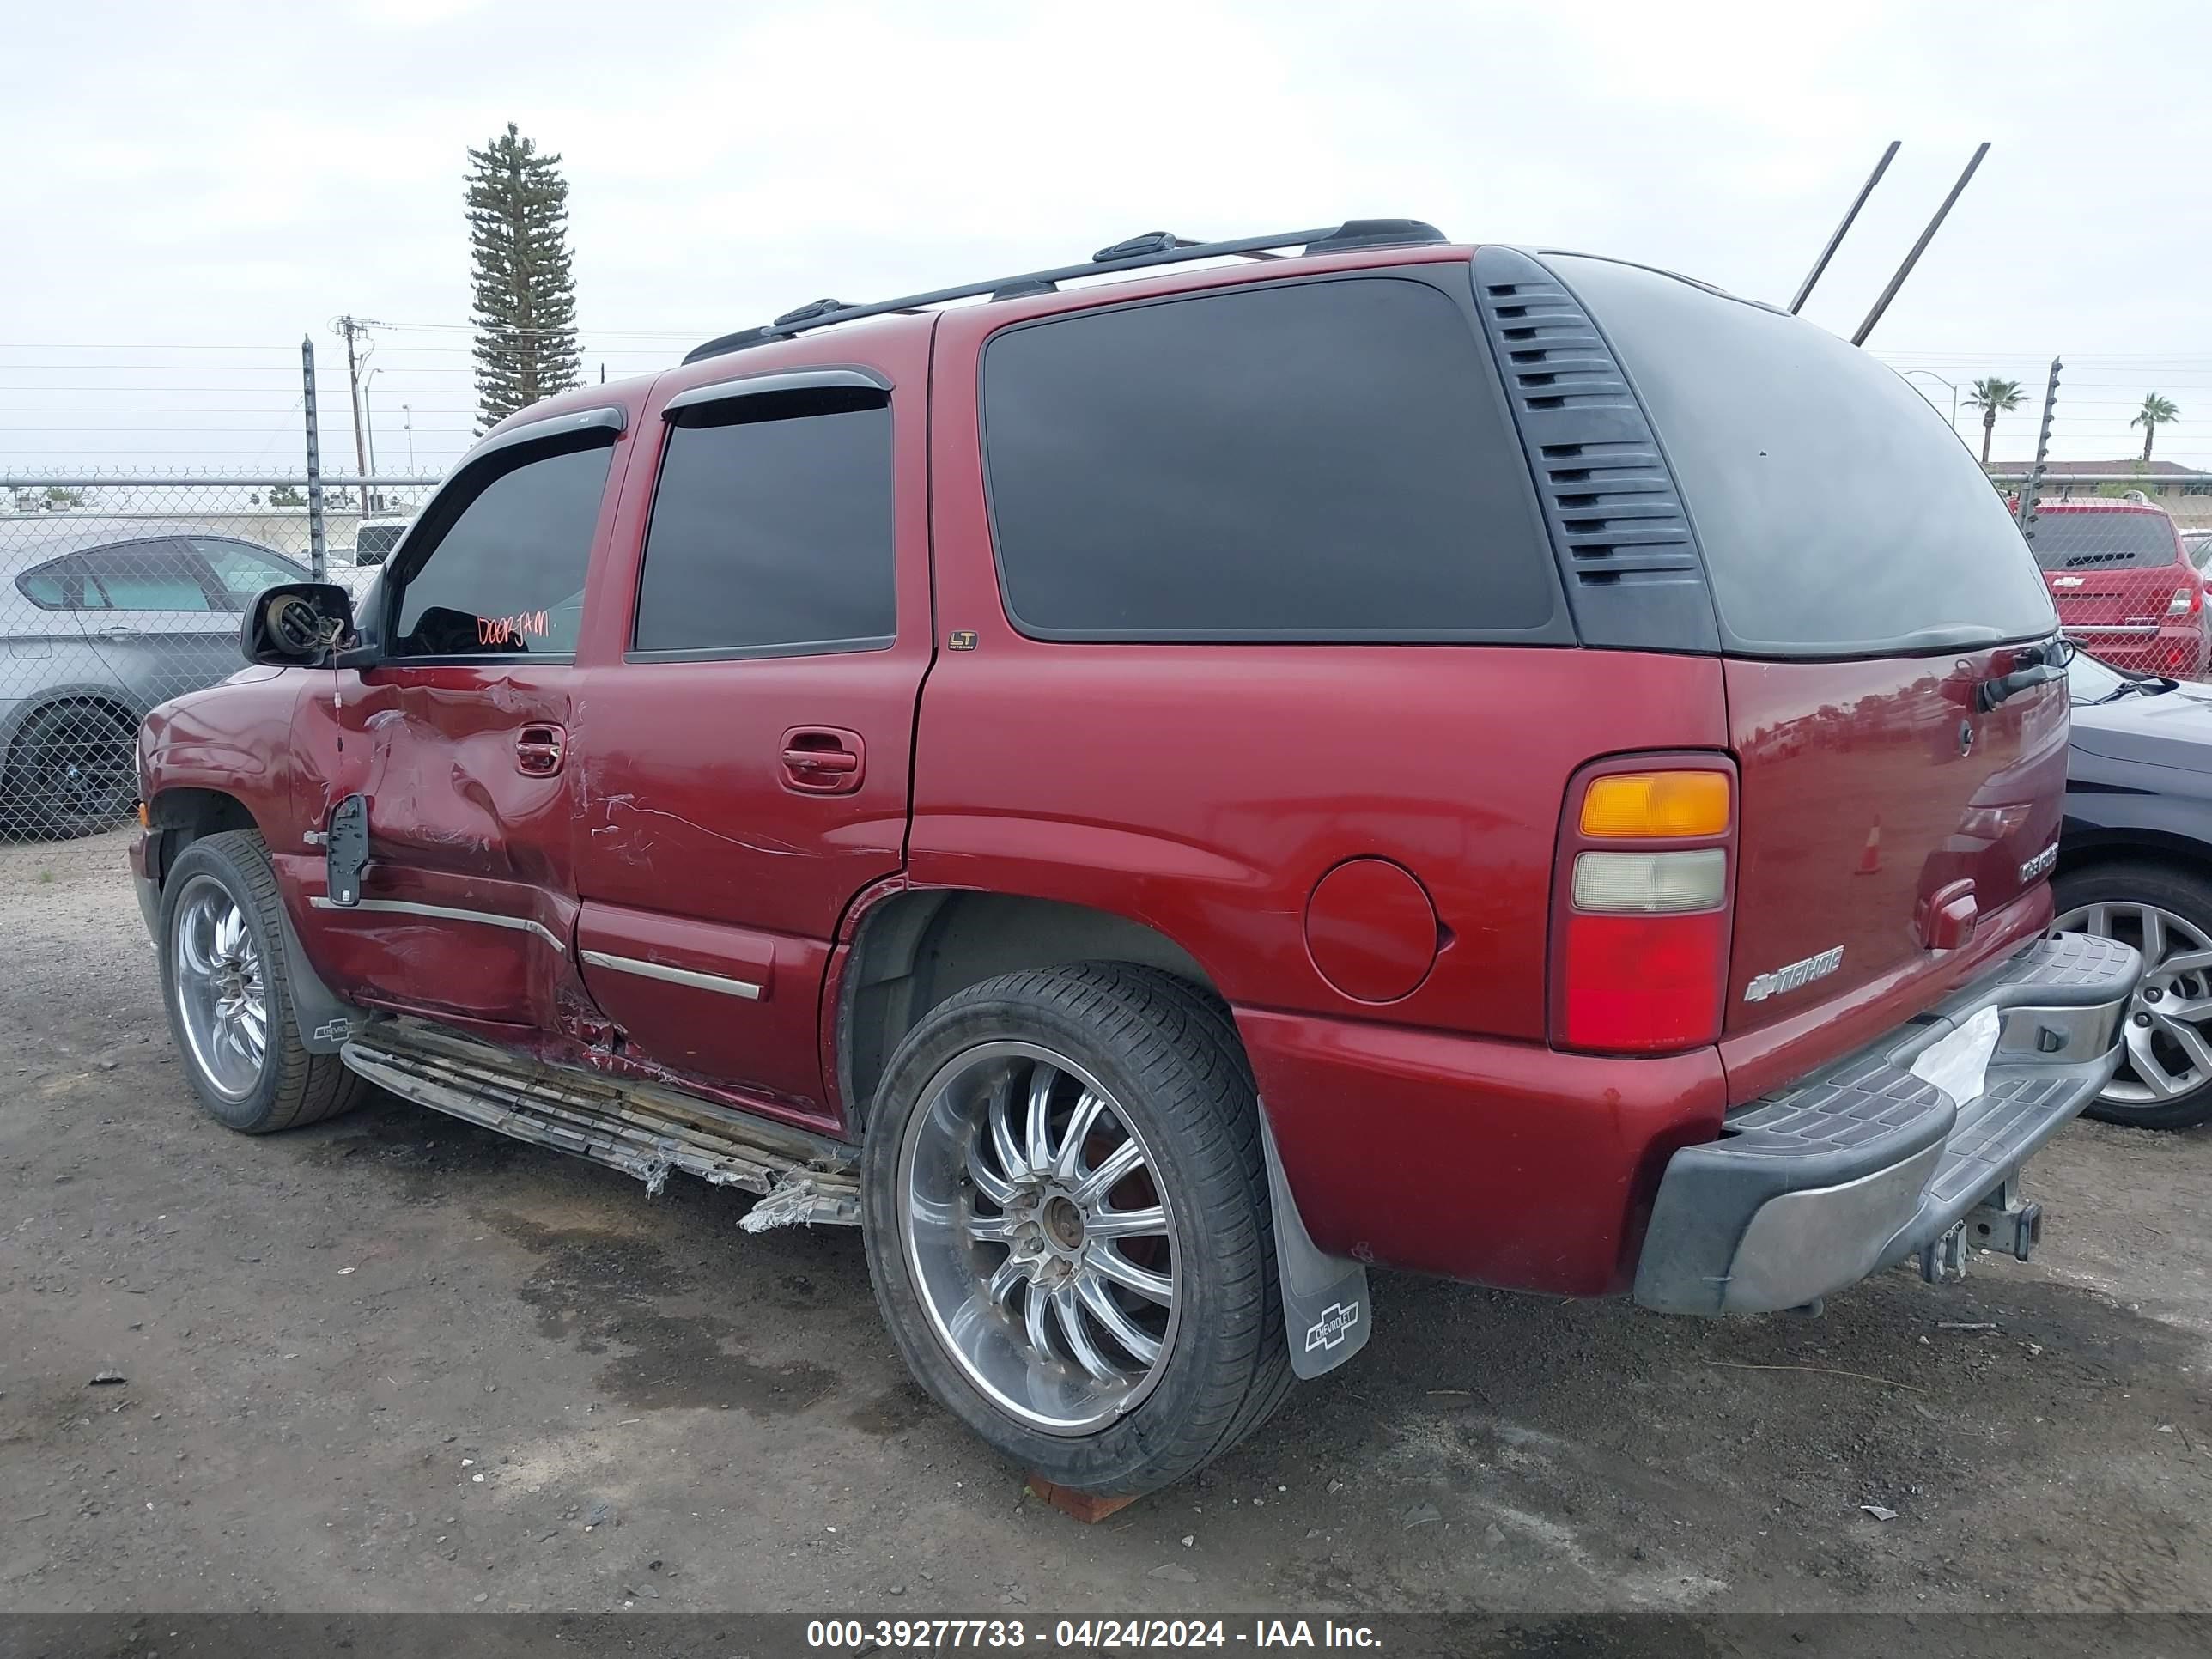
[(1156, 795)]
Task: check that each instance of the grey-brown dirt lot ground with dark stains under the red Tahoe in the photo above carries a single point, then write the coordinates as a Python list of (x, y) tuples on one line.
[(399, 1364)]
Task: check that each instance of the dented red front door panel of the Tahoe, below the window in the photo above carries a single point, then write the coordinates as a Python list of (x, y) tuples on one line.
[(468, 904)]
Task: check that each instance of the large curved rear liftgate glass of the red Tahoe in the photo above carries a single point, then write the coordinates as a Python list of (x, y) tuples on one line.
[(1835, 508)]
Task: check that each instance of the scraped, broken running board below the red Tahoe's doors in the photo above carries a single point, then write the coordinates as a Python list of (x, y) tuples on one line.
[(638, 1129)]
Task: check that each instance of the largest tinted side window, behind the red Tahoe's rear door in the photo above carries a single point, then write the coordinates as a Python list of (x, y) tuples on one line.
[(1319, 461)]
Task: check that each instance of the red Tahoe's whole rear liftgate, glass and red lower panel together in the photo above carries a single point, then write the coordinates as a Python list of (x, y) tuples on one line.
[(1868, 578)]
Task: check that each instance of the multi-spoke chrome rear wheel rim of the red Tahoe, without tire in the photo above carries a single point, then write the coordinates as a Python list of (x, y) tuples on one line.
[(1041, 1244)]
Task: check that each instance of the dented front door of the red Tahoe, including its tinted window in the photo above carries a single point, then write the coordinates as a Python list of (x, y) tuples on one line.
[(459, 740)]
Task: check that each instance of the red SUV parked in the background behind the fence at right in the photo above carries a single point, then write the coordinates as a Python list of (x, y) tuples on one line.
[(2125, 585)]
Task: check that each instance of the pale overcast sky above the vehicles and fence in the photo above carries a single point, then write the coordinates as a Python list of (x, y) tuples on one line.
[(227, 178)]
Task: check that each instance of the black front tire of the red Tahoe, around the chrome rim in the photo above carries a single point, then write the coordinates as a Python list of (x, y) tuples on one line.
[(295, 1087)]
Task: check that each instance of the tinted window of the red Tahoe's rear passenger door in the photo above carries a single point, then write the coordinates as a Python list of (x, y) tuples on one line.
[(773, 536)]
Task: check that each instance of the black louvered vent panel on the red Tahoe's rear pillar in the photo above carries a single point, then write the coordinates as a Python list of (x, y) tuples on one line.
[(1605, 488)]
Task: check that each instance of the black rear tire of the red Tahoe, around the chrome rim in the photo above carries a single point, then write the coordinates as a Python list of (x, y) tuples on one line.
[(1171, 1058)]
